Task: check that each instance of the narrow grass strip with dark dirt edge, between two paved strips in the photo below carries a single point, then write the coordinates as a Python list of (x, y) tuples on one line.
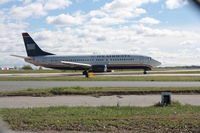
[(101, 91)]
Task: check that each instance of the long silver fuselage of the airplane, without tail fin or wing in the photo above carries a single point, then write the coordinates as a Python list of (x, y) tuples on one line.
[(109, 62)]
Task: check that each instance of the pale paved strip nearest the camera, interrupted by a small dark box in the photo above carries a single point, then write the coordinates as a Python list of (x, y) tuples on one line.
[(127, 100)]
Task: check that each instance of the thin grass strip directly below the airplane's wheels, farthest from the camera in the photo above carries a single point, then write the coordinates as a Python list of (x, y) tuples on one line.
[(107, 78)]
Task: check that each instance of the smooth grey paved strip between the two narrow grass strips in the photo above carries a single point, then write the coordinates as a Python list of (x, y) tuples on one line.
[(18, 85)]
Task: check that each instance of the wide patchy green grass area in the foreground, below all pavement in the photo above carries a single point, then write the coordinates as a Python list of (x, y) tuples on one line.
[(175, 118)]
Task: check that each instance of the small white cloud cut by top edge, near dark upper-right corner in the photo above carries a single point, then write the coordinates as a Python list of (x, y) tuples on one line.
[(172, 4)]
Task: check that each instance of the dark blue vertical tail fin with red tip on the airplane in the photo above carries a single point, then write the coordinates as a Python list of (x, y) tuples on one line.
[(32, 48)]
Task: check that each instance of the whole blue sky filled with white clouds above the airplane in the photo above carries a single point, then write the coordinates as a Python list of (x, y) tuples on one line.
[(167, 30)]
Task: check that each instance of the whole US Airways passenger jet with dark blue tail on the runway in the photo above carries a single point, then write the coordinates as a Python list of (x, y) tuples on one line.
[(92, 63)]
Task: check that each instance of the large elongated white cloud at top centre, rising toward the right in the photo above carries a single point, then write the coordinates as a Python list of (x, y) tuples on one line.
[(112, 13)]
